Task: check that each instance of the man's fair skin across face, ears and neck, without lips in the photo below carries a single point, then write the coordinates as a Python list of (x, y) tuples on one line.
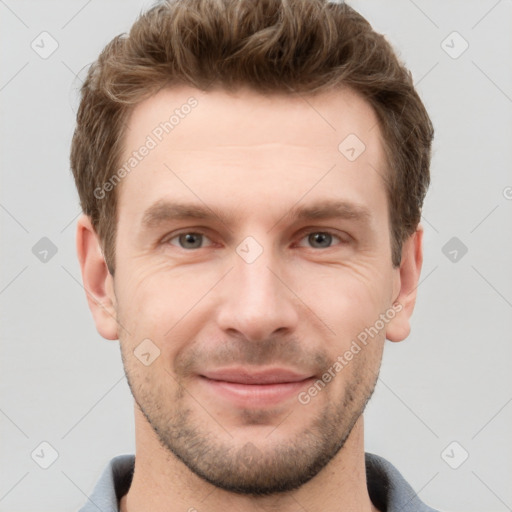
[(252, 160)]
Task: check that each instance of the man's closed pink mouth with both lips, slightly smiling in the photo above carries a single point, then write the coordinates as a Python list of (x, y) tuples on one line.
[(242, 387)]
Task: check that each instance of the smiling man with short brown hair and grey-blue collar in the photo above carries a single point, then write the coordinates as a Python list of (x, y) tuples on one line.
[(284, 141)]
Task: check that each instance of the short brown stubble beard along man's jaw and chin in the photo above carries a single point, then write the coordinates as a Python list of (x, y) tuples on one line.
[(254, 469)]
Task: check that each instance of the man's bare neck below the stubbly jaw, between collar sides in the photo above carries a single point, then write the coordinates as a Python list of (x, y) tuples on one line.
[(161, 483)]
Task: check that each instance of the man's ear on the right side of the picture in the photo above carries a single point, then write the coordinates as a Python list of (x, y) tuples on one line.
[(406, 284)]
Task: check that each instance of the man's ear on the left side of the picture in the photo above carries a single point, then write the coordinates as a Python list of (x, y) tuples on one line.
[(98, 282)]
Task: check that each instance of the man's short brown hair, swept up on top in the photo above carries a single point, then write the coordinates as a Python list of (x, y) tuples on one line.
[(303, 46)]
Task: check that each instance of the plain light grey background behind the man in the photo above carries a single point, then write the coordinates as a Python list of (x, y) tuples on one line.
[(450, 381)]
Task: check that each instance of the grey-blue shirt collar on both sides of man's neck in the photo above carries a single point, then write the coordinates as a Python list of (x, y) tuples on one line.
[(388, 490)]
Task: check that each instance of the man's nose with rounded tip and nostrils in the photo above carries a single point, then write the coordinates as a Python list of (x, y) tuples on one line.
[(258, 301)]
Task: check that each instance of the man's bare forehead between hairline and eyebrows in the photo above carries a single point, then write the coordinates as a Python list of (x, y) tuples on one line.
[(226, 148)]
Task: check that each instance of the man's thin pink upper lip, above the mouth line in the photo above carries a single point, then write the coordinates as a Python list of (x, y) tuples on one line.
[(260, 376)]
